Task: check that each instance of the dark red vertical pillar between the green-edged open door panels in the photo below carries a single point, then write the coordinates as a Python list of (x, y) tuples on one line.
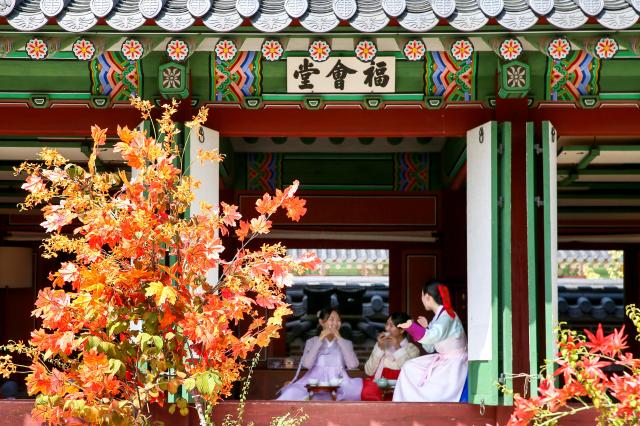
[(516, 111)]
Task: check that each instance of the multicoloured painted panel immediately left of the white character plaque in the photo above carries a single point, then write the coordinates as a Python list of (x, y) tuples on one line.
[(238, 78)]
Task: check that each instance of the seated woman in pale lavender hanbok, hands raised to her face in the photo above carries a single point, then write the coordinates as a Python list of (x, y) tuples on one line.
[(327, 357)]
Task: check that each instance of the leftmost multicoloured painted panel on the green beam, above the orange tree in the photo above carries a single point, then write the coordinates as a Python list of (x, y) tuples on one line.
[(114, 76)]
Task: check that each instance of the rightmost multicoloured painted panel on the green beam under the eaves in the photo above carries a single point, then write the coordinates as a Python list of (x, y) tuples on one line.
[(576, 75)]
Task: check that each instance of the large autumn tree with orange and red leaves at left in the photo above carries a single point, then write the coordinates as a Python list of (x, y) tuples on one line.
[(137, 257)]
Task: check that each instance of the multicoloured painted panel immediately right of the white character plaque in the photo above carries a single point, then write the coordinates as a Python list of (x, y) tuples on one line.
[(453, 80)]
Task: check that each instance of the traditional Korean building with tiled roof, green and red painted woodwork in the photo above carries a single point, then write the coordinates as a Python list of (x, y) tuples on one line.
[(464, 140)]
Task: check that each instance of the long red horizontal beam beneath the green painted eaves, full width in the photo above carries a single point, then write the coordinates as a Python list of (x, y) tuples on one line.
[(75, 120)]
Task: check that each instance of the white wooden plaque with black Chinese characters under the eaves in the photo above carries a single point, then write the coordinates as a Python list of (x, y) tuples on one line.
[(341, 75)]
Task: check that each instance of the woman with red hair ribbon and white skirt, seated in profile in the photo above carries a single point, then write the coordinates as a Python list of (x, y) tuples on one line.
[(439, 376)]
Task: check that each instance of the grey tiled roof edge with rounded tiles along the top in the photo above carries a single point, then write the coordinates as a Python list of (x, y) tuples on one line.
[(317, 15)]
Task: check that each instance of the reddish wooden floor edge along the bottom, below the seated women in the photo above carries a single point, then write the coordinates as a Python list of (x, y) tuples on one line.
[(16, 413)]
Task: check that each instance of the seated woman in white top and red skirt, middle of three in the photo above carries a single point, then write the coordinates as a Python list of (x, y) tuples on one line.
[(389, 354)]
